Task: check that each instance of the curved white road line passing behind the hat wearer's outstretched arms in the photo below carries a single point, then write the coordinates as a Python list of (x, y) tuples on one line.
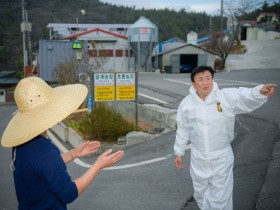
[(85, 165)]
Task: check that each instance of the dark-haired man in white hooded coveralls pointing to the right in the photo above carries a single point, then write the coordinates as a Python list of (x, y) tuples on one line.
[(205, 118)]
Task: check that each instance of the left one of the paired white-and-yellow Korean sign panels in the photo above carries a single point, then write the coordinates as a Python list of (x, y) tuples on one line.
[(104, 87)]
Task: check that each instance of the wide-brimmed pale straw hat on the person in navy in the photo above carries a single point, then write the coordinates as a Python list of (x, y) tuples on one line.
[(40, 107)]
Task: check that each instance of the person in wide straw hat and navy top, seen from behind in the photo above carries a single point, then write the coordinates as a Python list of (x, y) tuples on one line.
[(40, 175)]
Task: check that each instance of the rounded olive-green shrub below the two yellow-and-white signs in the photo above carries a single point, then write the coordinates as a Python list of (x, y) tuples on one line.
[(104, 124)]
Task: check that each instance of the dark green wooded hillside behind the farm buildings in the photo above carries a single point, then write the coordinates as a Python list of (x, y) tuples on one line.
[(40, 12)]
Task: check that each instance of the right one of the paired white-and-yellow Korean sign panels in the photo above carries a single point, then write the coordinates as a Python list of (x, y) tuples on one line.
[(125, 85)]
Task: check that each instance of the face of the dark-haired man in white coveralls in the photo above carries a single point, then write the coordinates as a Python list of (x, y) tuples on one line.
[(203, 83)]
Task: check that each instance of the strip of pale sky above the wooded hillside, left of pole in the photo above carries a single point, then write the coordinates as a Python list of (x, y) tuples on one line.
[(209, 6)]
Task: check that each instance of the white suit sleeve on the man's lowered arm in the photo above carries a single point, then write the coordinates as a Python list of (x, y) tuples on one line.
[(182, 133)]
